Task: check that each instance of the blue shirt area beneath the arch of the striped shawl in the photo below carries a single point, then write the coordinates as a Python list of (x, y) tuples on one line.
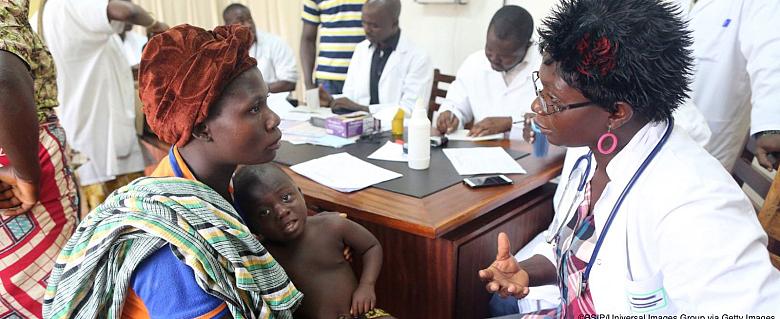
[(168, 289)]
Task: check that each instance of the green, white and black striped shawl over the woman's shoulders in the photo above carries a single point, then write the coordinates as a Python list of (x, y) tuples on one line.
[(92, 273)]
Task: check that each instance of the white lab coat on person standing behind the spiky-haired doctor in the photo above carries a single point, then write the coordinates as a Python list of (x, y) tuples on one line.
[(737, 66)]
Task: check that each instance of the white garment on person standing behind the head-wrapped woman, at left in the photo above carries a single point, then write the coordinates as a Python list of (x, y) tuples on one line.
[(95, 88)]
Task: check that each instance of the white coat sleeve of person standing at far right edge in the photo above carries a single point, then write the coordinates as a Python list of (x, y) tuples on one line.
[(760, 44)]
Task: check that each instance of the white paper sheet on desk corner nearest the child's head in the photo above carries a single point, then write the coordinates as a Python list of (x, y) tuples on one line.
[(344, 172)]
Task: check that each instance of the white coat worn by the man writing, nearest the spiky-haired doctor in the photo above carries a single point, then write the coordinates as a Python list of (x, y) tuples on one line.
[(479, 91)]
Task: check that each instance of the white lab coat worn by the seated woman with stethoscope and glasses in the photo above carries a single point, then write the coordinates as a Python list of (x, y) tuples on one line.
[(685, 219)]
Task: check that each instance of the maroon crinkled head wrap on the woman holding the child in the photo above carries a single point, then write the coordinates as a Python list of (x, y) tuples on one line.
[(183, 72)]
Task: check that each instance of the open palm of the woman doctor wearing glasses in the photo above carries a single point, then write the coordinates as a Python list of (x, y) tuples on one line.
[(505, 275)]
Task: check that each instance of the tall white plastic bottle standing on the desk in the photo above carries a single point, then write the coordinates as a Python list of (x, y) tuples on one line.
[(419, 127)]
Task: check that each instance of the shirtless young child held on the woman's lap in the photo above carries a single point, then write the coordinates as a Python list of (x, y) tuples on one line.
[(310, 249)]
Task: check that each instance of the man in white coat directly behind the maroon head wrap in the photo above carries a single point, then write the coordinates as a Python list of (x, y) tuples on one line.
[(274, 57)]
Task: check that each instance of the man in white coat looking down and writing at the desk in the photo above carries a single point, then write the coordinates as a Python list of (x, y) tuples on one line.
[(493, 87)]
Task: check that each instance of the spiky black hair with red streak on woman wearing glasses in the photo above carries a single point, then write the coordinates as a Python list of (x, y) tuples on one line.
[(635, 51)]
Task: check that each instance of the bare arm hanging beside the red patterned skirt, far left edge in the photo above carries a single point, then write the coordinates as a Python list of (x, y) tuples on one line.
[(18, 135)]
